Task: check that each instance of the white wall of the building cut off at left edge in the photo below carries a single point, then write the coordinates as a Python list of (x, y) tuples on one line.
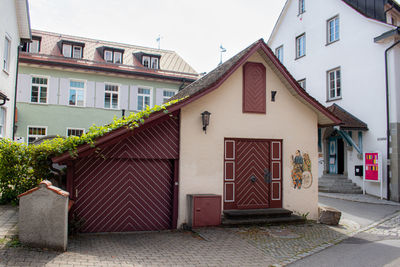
[(9, 27)]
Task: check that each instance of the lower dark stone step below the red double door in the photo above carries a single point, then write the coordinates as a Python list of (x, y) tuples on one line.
[(268, 220)]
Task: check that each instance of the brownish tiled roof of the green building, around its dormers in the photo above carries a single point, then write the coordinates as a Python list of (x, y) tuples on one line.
[(170, 60)]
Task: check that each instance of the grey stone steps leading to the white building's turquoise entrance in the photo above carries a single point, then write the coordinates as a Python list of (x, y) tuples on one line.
[(334, 183)]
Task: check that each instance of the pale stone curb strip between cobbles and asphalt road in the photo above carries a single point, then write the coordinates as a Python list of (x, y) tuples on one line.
[(336, 241)]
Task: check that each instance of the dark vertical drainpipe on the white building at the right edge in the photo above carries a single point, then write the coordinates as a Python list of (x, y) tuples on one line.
[(387, 120)]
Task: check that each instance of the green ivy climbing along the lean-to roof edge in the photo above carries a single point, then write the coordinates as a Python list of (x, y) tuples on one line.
[(22, 167)]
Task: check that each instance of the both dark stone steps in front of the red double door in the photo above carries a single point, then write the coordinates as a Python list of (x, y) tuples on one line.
[(260, 216)]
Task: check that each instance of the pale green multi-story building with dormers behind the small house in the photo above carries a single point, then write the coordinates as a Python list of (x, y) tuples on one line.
[(67, 83)]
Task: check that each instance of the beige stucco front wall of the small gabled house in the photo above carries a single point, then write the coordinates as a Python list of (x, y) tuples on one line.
[(201, 155)]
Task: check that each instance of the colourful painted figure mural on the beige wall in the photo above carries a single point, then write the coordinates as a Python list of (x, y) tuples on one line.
[(301, 172)]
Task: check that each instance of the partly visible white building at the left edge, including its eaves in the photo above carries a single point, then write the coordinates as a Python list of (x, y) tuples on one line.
[(14, 27)]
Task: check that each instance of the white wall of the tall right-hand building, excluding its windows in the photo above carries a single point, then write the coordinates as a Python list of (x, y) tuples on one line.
[(361, 61)]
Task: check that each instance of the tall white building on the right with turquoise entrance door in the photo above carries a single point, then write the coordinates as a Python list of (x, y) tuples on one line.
[(336, 50)]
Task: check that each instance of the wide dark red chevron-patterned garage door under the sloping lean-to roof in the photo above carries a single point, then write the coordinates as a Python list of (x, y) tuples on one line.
[(122, 195)]
